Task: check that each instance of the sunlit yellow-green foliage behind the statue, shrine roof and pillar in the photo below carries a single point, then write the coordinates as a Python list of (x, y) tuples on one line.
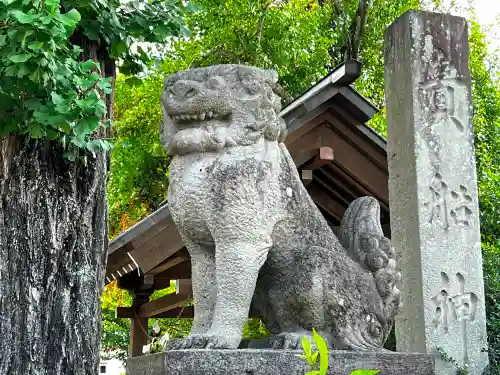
[(302, 40)]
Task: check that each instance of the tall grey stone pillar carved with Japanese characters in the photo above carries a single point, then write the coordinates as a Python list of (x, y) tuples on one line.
[(433, 191)]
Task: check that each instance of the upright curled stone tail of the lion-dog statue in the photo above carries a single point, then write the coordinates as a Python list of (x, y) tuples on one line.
[(362, 236)]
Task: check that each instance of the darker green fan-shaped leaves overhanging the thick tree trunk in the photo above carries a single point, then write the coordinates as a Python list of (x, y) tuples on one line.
[(58, 63)]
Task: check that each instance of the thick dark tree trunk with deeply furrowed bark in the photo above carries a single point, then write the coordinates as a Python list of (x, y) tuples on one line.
[(53, 242)]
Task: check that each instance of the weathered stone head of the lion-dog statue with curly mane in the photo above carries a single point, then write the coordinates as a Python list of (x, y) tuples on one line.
[(245, 93)]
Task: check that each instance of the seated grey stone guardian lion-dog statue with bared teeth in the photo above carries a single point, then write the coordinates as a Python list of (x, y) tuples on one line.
[(255, 236)]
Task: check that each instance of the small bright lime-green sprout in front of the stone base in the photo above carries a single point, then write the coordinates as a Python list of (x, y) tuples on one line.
[(312, 357)]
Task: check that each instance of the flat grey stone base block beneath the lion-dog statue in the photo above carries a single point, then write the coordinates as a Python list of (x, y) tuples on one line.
[(274, 362)]
